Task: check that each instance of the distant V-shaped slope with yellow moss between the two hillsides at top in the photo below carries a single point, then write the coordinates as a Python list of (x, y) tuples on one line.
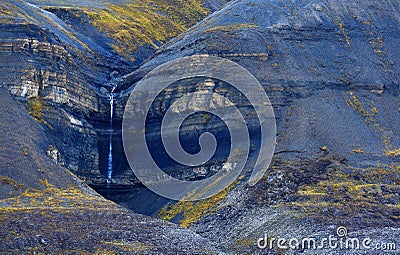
[(134, 29)]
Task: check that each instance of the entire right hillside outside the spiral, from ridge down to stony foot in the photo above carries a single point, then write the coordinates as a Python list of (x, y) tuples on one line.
[(331, 71)]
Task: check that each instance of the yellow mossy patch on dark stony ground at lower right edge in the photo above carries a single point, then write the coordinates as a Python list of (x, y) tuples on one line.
[(367, 187)]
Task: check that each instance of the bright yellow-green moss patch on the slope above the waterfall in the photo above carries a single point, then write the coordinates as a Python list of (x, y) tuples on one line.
[(146, 22)]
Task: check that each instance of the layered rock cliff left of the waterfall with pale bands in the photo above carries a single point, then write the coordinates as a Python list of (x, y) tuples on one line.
[(45, 63)]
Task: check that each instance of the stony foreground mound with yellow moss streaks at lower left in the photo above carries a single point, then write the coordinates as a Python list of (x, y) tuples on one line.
[(44, 209)]
